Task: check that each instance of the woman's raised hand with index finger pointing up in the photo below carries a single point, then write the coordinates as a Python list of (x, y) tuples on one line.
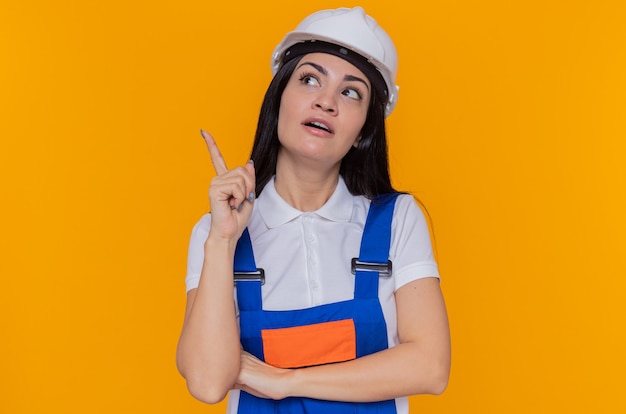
[(231, 194)]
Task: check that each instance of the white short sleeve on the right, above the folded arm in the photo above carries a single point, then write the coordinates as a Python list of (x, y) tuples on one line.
[(411, 251)]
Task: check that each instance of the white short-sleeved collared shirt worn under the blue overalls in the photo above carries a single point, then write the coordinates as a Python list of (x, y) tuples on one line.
[(307, 255)]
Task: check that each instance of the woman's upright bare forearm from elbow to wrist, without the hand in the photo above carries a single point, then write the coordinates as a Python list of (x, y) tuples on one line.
[(209, 352)]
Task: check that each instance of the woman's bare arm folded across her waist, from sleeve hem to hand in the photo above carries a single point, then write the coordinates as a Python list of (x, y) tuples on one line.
[(420, 364)]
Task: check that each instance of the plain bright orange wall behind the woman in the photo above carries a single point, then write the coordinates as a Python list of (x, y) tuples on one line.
[(510, 128)]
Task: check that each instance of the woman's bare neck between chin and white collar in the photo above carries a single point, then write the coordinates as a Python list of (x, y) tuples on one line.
[(306, 189)]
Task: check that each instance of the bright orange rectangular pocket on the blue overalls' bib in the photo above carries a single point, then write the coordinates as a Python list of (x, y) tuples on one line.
[(316, 344)]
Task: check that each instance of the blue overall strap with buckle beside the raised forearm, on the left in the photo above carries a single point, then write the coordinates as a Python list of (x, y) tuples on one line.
[(247, 277)]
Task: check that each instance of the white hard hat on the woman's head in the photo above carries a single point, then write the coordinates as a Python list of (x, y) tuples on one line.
[(354, 30)]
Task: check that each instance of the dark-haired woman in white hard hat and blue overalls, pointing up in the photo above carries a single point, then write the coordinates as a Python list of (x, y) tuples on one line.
[(337, 299)]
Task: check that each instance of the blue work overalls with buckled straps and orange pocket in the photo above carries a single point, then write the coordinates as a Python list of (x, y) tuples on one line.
[(330, 333)]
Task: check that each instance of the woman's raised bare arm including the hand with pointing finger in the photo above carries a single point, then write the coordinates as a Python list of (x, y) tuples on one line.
[(208, 353)]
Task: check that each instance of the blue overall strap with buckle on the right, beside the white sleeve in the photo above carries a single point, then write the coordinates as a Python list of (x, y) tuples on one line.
[(374, 254)]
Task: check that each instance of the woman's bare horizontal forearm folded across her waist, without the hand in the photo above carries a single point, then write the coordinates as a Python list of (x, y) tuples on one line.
[(400, 371)]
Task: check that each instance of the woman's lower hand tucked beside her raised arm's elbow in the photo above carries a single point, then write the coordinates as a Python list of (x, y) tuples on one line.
[(262, 380)]
